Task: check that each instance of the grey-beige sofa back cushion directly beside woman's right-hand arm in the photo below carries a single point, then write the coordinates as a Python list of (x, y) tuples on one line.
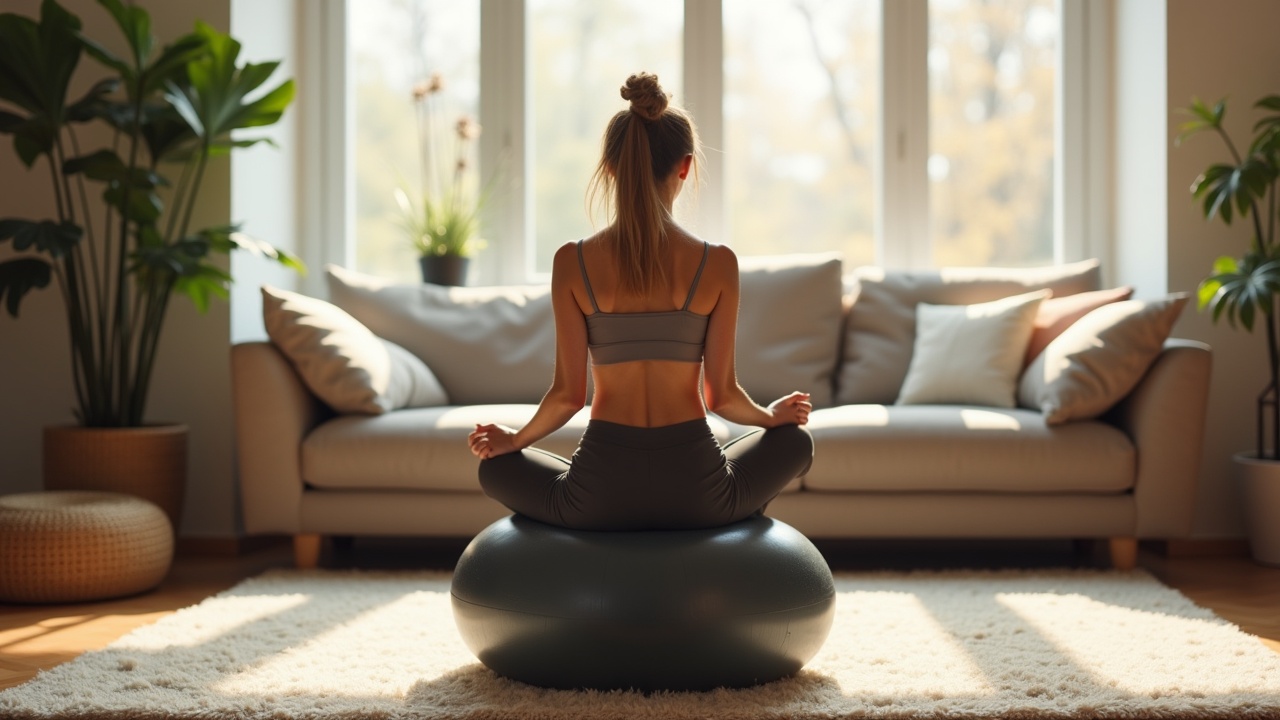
[(789, 326)]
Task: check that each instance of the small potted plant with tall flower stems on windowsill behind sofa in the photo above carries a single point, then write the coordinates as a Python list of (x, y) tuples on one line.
[(444, 217)]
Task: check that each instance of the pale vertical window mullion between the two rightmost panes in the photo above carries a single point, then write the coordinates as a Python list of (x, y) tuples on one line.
[(903, 212)]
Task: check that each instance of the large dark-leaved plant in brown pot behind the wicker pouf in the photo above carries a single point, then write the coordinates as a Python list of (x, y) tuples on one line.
[(118, 254)]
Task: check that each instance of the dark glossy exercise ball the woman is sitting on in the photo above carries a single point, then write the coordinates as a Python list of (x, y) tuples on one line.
[(679, 610)]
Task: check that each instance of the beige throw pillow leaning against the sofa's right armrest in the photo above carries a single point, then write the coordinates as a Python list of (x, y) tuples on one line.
[(1099, 361)]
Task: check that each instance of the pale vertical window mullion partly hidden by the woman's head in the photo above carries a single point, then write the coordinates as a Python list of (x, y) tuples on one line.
[(705, 99)]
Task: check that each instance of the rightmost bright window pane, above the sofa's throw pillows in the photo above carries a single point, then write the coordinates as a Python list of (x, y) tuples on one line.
[(993, 69)]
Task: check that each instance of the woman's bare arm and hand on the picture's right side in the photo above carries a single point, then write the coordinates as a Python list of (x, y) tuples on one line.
[(721, 390)]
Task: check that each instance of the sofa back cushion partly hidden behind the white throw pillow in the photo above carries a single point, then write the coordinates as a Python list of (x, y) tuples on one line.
[(880, 331)]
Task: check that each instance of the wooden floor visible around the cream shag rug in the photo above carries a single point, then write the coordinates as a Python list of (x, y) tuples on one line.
[(34, 639)]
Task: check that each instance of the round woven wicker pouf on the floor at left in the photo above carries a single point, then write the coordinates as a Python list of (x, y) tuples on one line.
[(80, 546)]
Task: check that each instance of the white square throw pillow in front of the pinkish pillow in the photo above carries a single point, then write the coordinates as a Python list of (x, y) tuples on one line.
[(971, 354)]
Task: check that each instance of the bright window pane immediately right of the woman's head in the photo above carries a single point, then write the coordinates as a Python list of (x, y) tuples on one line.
[(802, 83)]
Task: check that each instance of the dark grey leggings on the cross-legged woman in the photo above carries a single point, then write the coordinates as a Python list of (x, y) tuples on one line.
[(628, 479)]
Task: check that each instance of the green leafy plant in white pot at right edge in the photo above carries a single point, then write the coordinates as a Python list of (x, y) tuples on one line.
[(1244, 290)]
